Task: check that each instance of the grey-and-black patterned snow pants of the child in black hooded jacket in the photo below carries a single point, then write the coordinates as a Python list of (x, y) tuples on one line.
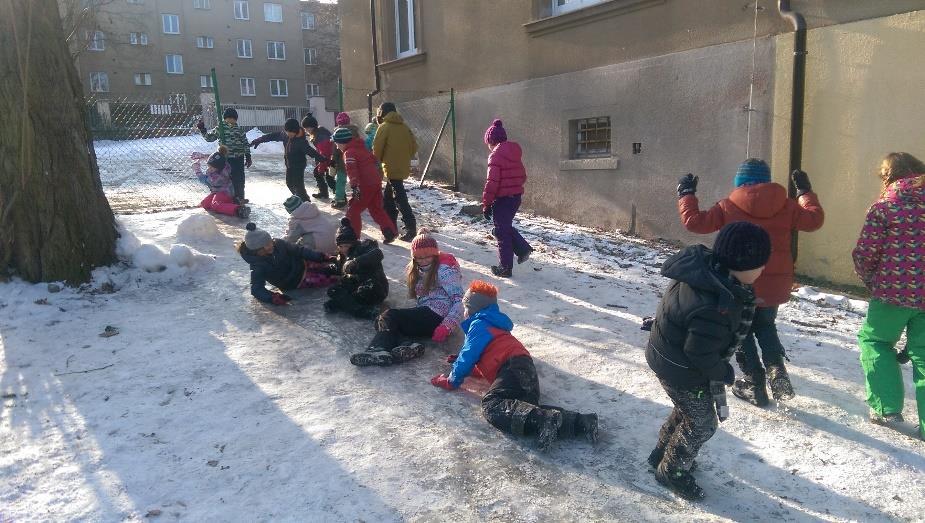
[(691, 423)]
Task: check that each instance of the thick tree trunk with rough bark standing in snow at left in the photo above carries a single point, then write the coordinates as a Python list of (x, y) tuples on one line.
[(55, 222)]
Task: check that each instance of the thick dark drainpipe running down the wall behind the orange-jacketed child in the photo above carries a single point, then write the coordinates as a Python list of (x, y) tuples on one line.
[(796, 107)]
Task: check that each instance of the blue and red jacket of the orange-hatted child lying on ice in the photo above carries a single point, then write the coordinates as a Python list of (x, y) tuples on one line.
[(489, 344)]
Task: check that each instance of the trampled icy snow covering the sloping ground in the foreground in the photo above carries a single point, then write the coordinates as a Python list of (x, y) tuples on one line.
[(208, 405)]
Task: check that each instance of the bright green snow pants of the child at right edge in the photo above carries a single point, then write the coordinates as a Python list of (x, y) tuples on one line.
[(877, 338)]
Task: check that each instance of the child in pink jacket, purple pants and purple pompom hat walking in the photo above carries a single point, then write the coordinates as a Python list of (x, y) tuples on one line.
[(501, 197)]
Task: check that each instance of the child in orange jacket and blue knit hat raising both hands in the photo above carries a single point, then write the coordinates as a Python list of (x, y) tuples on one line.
[(758, 200)]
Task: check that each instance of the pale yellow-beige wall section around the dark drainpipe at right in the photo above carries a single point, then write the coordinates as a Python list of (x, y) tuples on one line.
[(864, 99)]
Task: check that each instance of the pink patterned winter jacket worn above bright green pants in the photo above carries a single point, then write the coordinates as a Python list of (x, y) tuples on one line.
[(890, 254)]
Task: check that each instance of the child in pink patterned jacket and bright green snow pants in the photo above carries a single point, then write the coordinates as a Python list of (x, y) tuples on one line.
[(890, 260)]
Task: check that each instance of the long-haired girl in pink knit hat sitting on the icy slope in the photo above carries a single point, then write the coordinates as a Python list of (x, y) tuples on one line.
[(435, 281)]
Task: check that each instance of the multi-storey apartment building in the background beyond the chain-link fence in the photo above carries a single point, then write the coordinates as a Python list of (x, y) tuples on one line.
[(264, 53)]
